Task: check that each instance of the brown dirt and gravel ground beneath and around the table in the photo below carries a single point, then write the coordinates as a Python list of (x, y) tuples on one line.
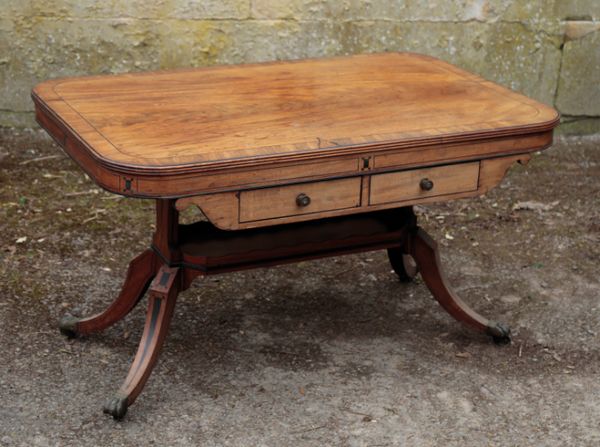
[(334, 352)]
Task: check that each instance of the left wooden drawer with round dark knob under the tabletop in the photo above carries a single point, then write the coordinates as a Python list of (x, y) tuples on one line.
[(296, 200)]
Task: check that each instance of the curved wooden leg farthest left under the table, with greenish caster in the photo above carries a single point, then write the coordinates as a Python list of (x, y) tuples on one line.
[(139, 275)]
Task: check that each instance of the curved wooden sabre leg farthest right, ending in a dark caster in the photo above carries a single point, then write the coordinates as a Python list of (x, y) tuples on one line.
[(425, 252)]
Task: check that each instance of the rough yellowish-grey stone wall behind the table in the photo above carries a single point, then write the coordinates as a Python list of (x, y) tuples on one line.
[(547, 49)]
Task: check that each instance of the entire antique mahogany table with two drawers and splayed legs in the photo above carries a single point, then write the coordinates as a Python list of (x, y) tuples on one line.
[(288, 161)]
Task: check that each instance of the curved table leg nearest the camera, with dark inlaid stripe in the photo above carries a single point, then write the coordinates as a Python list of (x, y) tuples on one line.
[(161, 302)]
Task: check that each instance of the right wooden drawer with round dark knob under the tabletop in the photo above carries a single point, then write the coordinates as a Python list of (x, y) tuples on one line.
[(421, 183)]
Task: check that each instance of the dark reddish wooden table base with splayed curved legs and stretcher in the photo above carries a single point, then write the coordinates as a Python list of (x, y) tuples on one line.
[(180, 253)]
